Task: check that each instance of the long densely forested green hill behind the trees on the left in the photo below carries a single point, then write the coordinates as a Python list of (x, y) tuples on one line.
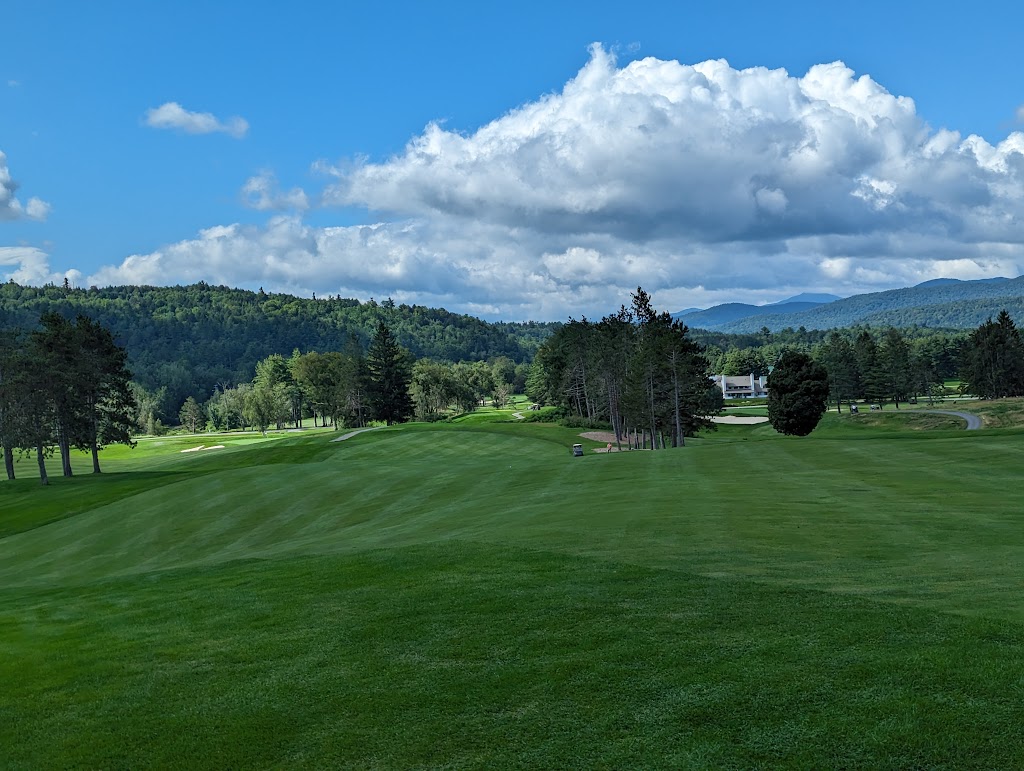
[(192, 338)]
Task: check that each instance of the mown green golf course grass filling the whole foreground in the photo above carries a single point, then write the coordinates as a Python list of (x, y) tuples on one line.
[(470, 595)]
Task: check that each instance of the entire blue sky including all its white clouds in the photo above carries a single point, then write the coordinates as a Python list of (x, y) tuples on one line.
[(492, 159)]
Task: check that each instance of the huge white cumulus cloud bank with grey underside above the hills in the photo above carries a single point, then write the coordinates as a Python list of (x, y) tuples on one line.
[(703, 183)]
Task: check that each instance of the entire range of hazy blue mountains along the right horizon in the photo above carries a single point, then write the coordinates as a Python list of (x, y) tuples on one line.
[(941, 303)]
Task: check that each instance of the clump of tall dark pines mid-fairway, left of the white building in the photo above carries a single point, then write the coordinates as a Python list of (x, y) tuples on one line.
[(638, 371)]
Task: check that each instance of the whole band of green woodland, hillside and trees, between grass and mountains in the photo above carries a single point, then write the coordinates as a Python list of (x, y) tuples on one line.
[(68, 380)]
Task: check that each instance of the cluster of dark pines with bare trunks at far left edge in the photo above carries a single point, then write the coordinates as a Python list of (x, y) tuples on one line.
[(65, 385)]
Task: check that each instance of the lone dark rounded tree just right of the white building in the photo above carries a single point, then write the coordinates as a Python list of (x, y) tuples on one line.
[(798, 395)]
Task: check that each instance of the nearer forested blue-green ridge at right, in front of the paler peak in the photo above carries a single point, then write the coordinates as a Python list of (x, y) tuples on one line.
[(953, 305)]
